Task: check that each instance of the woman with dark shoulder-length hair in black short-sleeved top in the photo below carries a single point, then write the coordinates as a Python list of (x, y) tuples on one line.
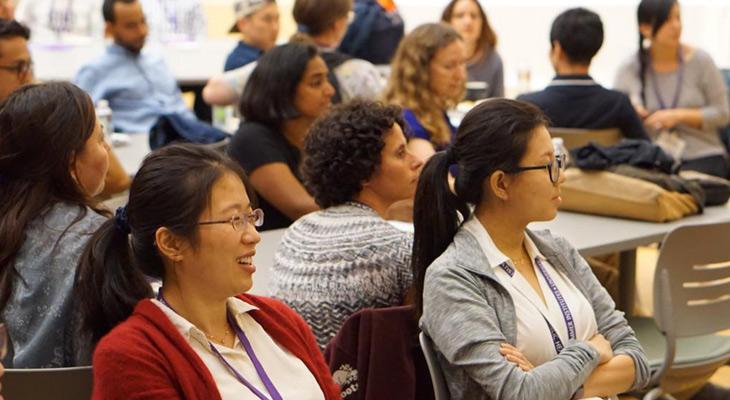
[(287, 91)]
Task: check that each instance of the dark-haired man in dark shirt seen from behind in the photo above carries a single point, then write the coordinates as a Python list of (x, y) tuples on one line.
[(573, 99)]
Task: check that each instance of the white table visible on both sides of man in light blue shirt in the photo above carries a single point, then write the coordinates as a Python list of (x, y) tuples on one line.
[(192, 63)]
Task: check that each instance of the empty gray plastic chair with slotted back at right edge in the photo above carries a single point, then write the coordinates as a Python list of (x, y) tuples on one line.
[(691, 304)]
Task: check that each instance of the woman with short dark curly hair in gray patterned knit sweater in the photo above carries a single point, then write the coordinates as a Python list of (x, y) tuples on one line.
[(346, 257)]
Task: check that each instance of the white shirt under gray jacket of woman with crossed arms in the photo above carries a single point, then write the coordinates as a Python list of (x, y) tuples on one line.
[(534, 340)]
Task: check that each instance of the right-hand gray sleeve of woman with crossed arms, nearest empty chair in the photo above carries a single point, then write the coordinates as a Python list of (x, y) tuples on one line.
[(611, 322)]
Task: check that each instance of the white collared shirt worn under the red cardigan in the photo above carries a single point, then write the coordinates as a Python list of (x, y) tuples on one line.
[(288, 373)]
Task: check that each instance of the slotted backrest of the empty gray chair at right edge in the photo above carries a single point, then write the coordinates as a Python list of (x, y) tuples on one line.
[(692, 281)]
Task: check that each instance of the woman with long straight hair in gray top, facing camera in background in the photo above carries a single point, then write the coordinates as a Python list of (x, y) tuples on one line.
[(484, 65)]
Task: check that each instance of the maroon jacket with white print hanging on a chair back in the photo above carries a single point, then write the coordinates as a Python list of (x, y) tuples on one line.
[(376, 355)]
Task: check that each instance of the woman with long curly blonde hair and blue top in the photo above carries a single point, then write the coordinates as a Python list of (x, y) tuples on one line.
[(427, 77)]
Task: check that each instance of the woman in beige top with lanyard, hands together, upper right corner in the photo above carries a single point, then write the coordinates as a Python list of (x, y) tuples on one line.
[(677, 89)]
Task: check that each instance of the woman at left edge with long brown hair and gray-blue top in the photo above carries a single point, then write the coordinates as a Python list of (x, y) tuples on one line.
[(53, 160)]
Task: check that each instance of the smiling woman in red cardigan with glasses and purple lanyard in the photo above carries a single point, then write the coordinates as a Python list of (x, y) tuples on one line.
[(191, 222)]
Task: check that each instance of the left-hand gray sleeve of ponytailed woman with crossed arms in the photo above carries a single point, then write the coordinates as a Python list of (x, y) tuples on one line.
[(464, 328)]
